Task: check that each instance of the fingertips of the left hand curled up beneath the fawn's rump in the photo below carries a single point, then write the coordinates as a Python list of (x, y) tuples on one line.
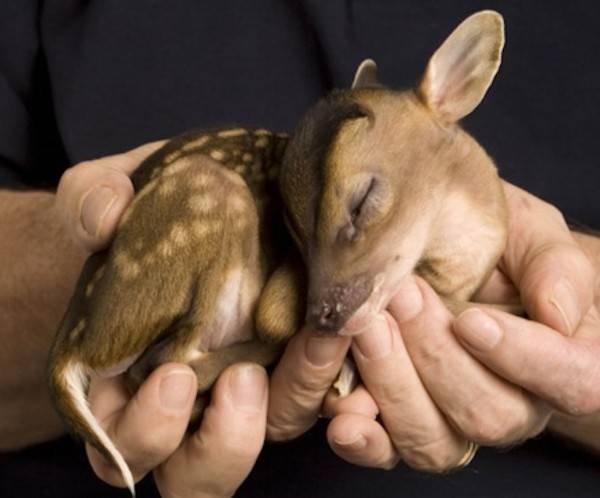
[(149, 430)]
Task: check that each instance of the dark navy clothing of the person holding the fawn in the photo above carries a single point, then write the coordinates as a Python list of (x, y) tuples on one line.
[(84, 79)]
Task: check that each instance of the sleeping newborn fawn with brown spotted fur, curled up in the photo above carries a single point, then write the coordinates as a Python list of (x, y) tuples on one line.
[(375, 184)]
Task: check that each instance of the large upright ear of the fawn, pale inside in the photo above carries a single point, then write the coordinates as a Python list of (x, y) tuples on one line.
[(462, 69)]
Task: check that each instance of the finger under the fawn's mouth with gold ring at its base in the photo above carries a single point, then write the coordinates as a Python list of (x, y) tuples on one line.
[(419, 431)]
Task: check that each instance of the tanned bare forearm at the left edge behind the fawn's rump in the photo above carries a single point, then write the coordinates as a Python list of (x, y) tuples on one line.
[(39, 266)]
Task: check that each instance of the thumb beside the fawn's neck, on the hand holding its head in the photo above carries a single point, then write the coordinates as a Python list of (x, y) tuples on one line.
[(554, 276)]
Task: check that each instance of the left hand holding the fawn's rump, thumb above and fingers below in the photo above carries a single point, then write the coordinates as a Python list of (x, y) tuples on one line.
[(150, 427)]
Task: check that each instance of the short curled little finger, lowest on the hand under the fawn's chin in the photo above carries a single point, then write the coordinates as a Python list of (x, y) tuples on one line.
[(362, 441)]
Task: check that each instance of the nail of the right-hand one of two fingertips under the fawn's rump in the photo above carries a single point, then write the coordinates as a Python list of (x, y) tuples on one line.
[(248, 388)]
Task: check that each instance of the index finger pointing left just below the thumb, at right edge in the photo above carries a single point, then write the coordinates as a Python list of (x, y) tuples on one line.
[(563, 371)]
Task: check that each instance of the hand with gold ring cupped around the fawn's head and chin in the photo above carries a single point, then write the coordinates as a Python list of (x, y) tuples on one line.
[(436, 383)]
